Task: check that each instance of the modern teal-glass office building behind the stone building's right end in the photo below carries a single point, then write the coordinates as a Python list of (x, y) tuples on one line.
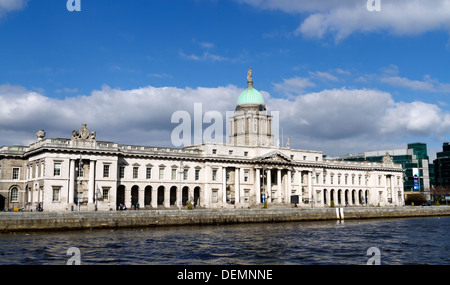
[(414, 160)]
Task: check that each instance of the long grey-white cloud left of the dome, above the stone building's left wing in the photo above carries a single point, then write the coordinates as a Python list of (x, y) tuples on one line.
[(137, 116)]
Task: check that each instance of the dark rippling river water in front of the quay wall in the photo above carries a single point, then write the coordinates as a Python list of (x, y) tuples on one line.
[(398, 241)]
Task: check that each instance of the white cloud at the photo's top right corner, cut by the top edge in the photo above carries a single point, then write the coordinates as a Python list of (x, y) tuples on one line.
[(342, 18)]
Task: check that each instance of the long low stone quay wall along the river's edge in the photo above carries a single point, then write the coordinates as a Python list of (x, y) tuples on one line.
[(36, 221)]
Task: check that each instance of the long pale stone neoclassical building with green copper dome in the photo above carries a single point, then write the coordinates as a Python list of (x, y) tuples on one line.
[(82, 173)]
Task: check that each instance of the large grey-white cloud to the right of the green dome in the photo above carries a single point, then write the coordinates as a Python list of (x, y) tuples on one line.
[(338, 121)]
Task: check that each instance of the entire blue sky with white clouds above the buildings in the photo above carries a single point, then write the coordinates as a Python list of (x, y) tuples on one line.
[(343, 78)]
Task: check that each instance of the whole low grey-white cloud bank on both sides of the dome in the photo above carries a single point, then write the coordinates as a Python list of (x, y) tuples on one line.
[(335, 121)]
